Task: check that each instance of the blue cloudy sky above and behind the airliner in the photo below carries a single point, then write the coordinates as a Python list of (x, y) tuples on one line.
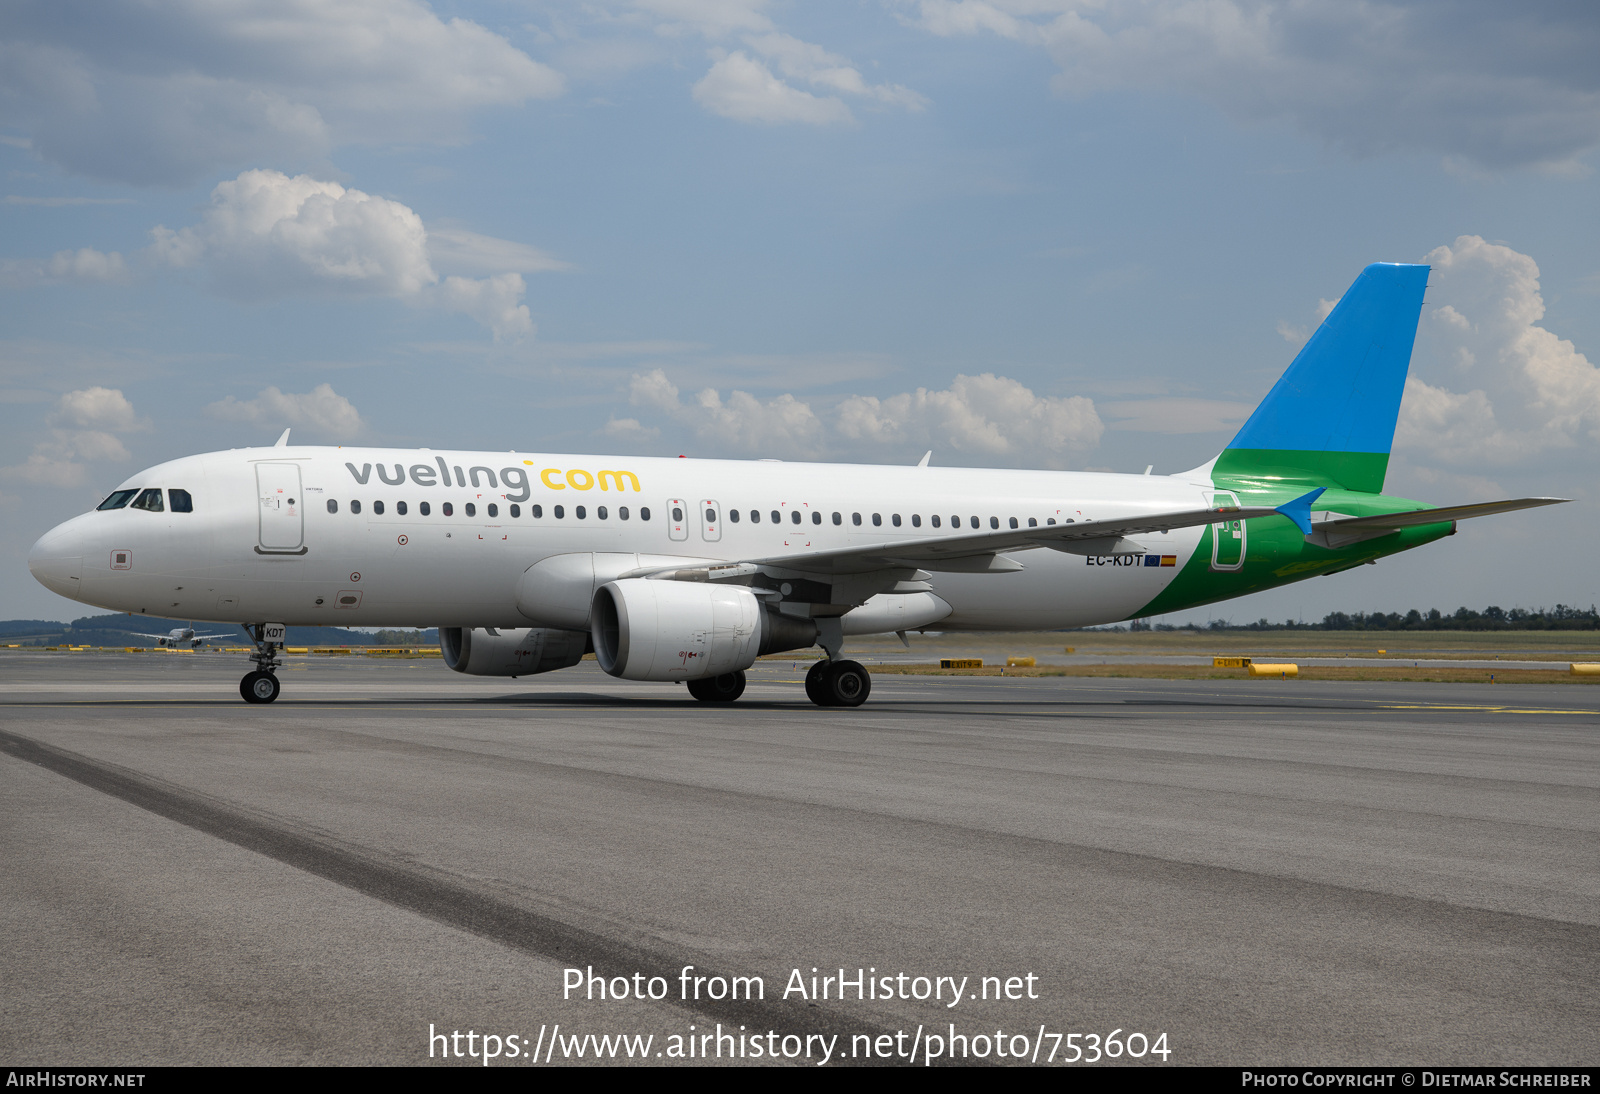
[(1020, 233)]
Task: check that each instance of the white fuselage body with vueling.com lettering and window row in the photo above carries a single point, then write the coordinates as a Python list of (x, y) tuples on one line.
[(276, 533)]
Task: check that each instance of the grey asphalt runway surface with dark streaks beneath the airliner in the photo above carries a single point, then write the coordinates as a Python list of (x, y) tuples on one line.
[(1266, 872)]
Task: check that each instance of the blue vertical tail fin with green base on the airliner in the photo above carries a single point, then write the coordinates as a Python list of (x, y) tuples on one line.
[(1330, 420)]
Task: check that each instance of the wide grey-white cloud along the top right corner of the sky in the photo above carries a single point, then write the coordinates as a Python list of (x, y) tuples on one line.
[(1498, 86)]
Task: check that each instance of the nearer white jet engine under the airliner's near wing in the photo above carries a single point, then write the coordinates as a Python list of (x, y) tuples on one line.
[(687, 631)]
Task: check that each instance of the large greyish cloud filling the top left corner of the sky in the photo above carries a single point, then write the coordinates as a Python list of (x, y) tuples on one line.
[(169, 92)]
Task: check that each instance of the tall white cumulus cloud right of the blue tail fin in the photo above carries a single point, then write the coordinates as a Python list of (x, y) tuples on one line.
[(1500, 386)]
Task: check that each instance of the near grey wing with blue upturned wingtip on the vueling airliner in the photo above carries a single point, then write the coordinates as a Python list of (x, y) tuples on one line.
[(982, 551)]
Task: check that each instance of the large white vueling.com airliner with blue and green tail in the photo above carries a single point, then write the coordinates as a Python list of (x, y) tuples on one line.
[(689, 570)]
